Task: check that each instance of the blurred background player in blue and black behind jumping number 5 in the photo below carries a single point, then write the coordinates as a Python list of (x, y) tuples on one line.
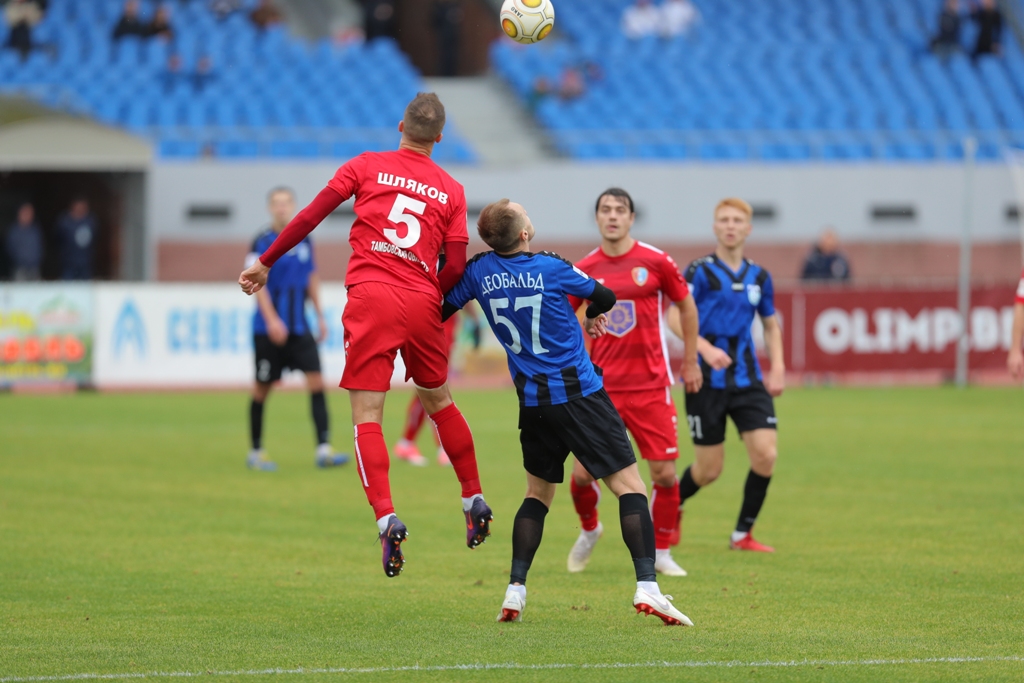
[(282, 336)]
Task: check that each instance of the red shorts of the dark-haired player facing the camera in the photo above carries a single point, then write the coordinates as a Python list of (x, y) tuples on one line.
[(651, 417)]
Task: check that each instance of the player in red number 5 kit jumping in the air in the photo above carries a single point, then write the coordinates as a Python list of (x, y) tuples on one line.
[(408, 209)]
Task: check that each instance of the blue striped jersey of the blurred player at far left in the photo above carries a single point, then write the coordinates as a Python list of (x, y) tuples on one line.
[(288, 283)]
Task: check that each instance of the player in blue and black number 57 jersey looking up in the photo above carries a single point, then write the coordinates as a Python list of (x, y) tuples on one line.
[(563, 404)]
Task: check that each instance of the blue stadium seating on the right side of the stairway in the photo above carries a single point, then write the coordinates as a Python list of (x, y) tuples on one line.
[(779, 80)]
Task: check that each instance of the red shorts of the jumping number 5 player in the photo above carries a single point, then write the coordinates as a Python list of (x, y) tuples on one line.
[(382, 320)]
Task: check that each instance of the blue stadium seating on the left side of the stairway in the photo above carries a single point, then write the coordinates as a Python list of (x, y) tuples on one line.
[(267, 95)]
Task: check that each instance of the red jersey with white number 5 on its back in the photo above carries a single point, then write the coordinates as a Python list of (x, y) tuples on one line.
[(407, 207)]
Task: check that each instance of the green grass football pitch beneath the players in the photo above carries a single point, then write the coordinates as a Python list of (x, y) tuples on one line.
[(134, 540)]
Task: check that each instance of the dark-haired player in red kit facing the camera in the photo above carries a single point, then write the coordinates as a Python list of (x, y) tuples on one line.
[(637, 376)]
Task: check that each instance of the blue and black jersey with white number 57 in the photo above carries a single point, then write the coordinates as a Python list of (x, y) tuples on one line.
[(525, 300)]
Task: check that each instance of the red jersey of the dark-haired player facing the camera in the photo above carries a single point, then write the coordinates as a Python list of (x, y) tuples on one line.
[(634, 355)]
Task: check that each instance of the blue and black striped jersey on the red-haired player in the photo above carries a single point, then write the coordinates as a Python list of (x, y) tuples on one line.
[(728, 303)]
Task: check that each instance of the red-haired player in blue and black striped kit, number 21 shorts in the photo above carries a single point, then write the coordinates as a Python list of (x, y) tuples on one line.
[(731, 291)]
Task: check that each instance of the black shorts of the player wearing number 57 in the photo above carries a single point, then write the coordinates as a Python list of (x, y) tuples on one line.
[(589, 429)]
